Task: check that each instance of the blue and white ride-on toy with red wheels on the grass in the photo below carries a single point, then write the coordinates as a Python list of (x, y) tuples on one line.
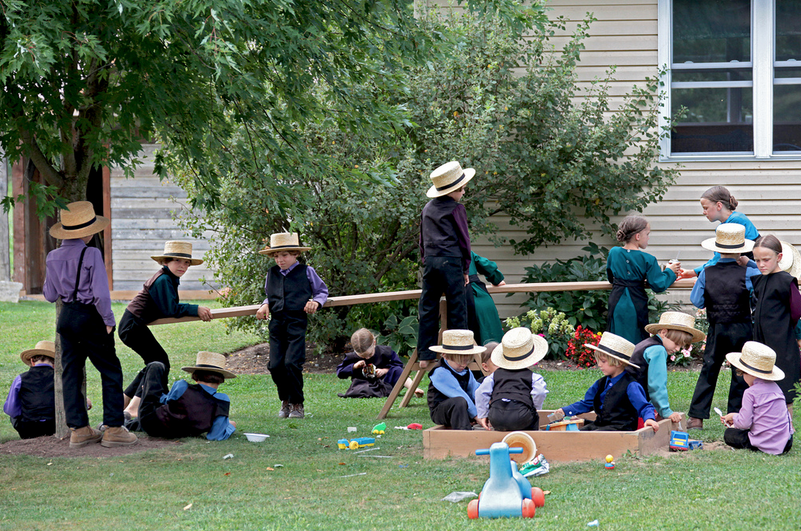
[(506, 493)]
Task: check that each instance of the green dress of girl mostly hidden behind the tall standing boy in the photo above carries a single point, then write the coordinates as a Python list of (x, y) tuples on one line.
[(482, 314)]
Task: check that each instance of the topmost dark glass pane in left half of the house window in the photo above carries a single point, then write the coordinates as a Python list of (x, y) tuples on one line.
[(711, 31)]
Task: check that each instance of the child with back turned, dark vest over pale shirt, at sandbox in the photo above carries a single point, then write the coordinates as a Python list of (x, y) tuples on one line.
[(508, 399)]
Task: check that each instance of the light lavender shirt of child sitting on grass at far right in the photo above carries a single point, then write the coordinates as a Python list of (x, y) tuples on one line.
[(764, 414)]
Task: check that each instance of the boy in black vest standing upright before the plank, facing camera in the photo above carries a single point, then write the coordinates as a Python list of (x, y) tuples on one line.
[(293, 291)]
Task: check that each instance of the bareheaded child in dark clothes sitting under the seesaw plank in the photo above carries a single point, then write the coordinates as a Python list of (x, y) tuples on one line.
[(373, 369)]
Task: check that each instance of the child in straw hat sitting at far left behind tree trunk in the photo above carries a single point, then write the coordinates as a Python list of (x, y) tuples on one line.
[(31, 401)]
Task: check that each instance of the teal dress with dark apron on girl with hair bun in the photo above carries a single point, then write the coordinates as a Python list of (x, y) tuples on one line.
[(628, 303)]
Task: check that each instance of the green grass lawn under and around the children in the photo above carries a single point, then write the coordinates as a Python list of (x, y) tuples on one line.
[(708, 489)]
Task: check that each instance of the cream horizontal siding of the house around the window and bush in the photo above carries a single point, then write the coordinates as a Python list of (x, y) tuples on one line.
[(769, 192)]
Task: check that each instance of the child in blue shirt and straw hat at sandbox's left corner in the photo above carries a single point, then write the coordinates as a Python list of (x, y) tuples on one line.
[(452, 391)]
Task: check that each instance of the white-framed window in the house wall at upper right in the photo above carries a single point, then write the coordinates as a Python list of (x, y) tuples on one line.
[(735, 71)]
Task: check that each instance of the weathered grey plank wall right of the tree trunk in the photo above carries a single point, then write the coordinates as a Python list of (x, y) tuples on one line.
[(143, 211)]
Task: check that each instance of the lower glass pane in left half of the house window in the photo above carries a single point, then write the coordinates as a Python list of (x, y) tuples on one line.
[(717, 120)]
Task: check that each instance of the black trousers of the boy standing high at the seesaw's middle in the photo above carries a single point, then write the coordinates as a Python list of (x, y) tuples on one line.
[(441, 274)]
